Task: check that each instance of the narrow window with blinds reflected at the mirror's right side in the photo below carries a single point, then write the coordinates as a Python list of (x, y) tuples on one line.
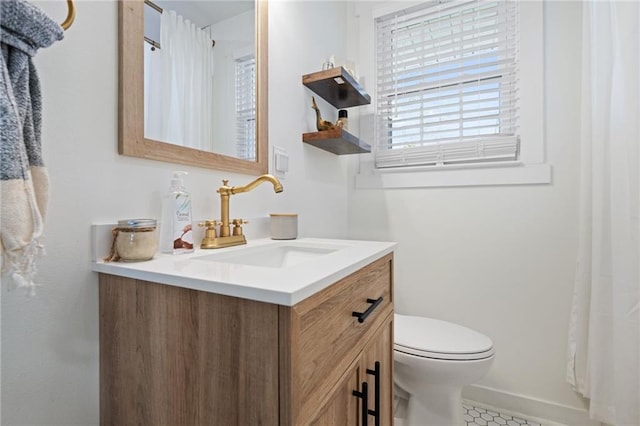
[(245, 71)]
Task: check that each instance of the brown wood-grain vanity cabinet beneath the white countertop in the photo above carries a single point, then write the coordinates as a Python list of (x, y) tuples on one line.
[(175, 356)]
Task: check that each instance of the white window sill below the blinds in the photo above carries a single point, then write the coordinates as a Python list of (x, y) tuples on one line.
[(451, 176)]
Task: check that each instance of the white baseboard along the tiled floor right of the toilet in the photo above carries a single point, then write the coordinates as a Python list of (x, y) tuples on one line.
[(546, 412)]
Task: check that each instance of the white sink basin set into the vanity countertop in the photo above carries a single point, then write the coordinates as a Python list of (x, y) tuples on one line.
[(274, 255)]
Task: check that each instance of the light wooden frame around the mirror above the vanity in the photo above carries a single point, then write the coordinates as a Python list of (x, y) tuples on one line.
[(131, 114)]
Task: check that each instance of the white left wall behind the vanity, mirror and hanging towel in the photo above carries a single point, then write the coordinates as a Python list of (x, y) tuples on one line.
[(50, 341)]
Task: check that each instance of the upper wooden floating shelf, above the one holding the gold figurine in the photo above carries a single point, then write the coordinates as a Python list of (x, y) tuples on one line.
[(337, 87)]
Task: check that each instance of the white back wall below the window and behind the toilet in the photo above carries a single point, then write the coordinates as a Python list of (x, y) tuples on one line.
[(498, 259)]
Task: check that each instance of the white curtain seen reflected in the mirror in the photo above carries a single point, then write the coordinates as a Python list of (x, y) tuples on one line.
[(183, 96)]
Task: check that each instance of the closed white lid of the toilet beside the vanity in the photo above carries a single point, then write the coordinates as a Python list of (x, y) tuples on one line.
[(433, 338)]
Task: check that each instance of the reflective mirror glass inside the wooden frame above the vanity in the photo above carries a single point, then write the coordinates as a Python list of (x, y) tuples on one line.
[(200, 75)]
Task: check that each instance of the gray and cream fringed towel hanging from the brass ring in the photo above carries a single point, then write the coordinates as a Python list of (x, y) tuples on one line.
[(24, 181)]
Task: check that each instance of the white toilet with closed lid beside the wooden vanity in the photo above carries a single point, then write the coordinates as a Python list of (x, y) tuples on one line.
[(434, 359)]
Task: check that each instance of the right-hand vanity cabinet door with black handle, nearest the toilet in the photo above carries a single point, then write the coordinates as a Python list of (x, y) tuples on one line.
[(376, 367)]
